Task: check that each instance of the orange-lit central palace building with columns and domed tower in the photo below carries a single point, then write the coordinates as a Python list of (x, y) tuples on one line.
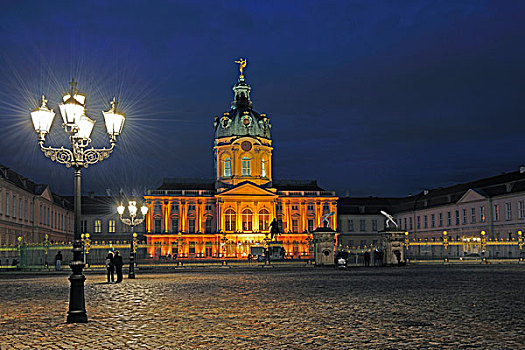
[(226, 216)]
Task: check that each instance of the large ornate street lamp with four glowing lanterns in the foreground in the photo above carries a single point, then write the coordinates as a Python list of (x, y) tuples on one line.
[(79, 127)]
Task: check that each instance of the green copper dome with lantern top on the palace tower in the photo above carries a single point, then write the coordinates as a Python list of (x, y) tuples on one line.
[(242, 120)]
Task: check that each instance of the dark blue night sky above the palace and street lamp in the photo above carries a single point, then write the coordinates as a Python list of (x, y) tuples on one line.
[(369, 97)]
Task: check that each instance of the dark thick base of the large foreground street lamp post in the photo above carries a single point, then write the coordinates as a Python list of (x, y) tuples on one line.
[(77, 303)]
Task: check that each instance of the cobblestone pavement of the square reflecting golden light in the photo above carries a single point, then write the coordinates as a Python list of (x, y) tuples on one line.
[(476, 307)]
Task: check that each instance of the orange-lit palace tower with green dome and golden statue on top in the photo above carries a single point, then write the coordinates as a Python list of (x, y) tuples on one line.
[(243, 150)]
